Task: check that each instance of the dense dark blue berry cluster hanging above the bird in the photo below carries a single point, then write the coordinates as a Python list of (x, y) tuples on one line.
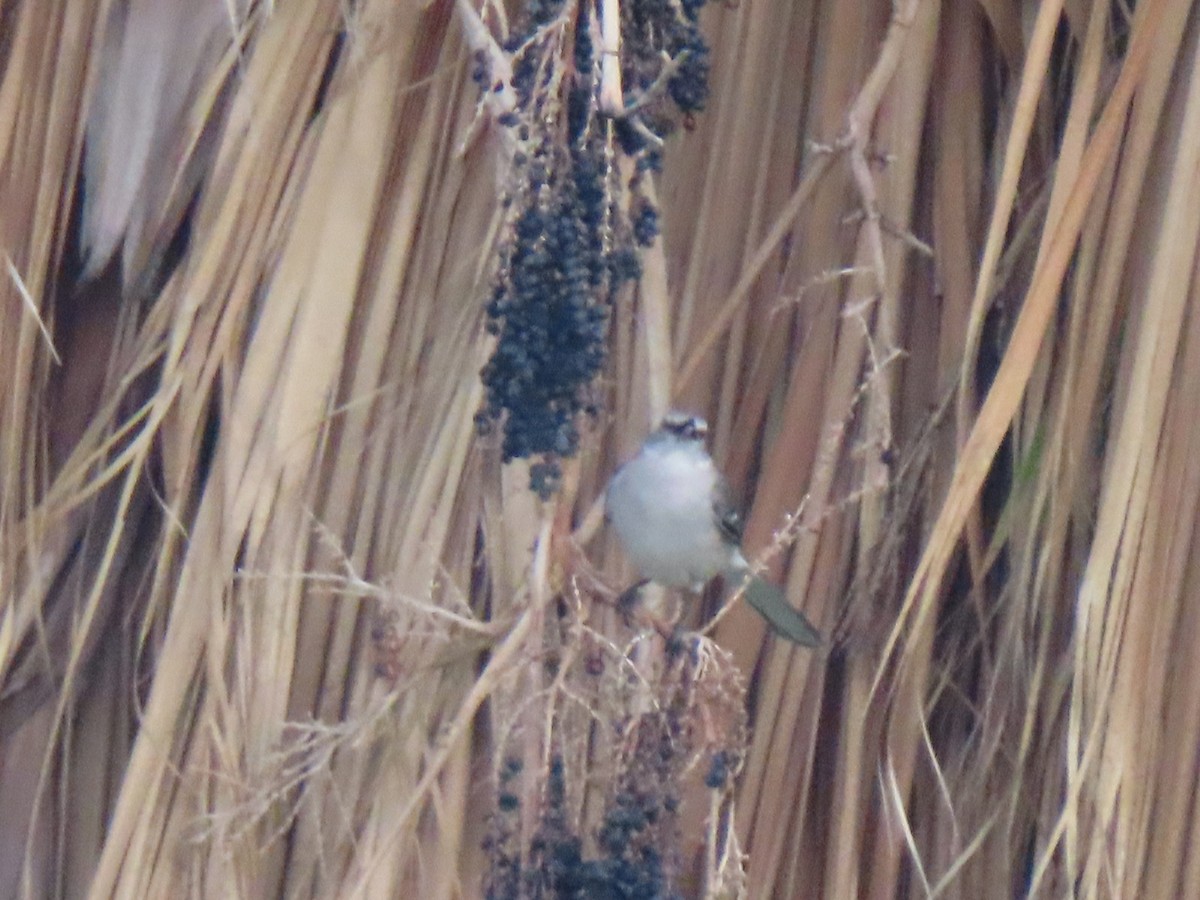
[(577, 226)]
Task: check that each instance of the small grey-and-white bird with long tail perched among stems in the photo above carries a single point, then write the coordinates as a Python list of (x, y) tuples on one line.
[(673, 513)]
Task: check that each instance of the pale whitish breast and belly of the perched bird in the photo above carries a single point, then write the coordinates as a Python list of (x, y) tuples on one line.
[(661, 505)]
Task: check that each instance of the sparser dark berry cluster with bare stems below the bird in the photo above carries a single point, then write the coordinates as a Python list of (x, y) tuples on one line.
[(634, 849)]
